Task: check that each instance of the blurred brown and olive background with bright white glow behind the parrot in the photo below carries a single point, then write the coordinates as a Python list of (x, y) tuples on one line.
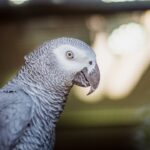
[(117, 115)]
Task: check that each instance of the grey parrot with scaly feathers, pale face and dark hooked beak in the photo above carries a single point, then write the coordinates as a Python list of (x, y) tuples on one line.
[(31, 103)]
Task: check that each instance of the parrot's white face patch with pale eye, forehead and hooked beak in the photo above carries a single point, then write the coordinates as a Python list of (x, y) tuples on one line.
[(78, 59)]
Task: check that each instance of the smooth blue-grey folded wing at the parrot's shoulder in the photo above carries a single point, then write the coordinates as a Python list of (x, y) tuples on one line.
[(16, 111)]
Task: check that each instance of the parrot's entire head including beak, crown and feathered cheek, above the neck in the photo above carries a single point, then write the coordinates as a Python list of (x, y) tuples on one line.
[(65, 60)]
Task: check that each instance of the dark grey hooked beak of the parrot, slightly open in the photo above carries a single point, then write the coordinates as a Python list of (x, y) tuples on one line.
[(87, 78)]
